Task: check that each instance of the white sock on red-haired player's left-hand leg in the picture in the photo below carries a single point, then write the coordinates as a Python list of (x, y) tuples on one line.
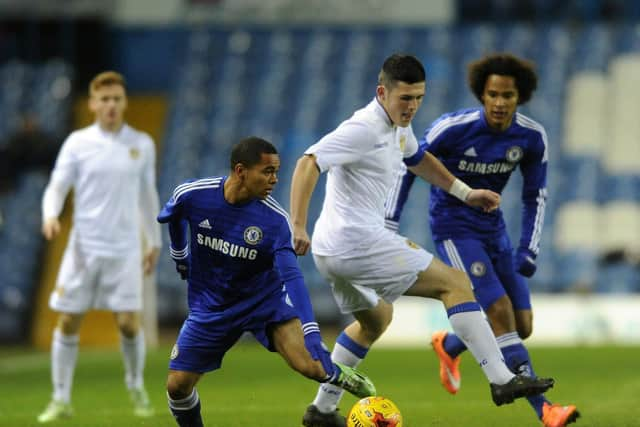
[(64, 354)]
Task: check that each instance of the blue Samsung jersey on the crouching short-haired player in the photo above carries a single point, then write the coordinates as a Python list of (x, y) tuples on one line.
[(232, 248)]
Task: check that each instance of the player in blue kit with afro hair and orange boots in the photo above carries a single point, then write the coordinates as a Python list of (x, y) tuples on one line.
[(482, 146)]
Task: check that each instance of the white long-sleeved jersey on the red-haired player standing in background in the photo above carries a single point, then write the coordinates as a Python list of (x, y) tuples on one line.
[(113, 178)]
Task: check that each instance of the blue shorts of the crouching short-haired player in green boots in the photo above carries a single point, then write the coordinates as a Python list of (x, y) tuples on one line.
[(206, 337)]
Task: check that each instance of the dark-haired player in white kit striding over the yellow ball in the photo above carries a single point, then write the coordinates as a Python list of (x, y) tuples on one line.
[(368, 266)]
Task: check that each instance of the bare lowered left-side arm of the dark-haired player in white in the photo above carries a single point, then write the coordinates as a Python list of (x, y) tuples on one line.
[(303, 182)]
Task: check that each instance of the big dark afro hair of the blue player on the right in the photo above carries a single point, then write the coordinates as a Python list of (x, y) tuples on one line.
[(503, 64)]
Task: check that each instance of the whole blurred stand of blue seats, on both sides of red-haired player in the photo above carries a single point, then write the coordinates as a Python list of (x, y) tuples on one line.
[(291, 84)]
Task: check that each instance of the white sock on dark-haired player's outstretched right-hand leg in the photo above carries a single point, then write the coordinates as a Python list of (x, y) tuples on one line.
[(472, 328)]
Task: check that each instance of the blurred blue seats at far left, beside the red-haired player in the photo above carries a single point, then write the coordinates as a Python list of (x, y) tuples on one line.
[(43, 90)]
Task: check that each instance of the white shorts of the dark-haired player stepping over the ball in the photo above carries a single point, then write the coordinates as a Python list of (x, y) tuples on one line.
[(385, 270)]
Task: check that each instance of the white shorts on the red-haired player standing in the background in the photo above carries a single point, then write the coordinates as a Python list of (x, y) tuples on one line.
[(88, 281)]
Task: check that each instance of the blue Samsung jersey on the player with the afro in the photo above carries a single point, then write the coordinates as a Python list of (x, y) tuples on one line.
[(483, 158)]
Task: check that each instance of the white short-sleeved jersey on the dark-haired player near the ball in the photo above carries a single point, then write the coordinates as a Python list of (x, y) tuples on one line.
[(362, 156)]
